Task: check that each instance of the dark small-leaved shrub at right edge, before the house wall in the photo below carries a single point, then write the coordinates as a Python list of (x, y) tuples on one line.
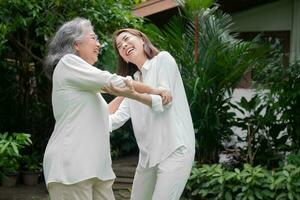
[(283, 84)]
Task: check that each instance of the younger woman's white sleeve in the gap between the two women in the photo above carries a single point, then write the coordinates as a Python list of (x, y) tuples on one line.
[(121, 116)]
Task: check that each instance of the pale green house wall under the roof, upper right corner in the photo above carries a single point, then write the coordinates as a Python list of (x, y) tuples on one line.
[(282, 15)]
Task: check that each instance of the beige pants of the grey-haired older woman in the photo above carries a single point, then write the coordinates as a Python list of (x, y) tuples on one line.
[(90, 189)]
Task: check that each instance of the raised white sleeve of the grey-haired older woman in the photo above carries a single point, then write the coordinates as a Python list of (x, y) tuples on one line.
[(81, 75)]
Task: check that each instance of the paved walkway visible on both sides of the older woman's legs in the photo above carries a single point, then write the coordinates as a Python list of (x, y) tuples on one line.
[(124, 169)]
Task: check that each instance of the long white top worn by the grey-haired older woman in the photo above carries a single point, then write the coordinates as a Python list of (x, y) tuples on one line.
[(79, 147)]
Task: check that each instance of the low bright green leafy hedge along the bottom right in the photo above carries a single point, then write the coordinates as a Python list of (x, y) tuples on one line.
[(216, 182)]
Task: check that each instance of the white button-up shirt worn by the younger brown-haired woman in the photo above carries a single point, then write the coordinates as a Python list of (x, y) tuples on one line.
[(159, 130)]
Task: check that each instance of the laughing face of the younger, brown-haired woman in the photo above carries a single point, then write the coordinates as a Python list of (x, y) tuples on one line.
[(130, 47)]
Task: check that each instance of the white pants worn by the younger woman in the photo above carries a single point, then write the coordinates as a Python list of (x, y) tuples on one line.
[(165, 181)]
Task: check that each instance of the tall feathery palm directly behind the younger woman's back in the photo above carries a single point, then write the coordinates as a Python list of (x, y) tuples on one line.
[(212, 61)]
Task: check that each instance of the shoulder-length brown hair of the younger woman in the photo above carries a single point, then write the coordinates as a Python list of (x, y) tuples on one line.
[(124, 68)]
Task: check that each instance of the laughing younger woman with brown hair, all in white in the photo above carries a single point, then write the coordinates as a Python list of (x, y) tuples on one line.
[(164, 134)]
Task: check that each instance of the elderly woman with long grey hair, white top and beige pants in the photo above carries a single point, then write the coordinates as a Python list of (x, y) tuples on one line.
[(77, 162)]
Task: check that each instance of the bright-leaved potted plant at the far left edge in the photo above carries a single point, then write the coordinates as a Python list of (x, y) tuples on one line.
[(10, 144)]
